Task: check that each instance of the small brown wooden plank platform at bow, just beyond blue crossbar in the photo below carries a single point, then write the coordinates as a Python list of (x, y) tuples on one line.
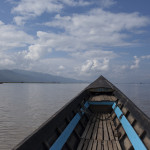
[(103, 97)]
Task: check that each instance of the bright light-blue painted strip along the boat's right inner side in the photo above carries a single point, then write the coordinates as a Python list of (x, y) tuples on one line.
[(132, 135)]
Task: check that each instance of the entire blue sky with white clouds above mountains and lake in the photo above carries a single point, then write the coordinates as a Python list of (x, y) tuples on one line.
[(80, 39)]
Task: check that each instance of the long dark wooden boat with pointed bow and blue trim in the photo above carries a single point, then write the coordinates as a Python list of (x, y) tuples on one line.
[(101, 117)]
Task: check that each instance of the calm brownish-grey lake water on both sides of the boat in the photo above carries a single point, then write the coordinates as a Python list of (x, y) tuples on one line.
[(24, 107)]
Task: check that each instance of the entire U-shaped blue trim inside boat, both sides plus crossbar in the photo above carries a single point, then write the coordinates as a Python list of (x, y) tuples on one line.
[(132, 135)]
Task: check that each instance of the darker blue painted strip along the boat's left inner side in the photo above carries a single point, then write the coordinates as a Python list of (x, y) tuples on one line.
[(59, 143)]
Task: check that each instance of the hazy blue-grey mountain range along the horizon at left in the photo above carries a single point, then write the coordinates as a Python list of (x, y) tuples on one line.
[(30, 76)]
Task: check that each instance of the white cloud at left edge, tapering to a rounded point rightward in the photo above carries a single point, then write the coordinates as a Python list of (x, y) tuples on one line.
[(11, 37)]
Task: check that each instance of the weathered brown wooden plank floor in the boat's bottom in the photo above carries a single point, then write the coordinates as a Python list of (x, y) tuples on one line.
[(99, 134)]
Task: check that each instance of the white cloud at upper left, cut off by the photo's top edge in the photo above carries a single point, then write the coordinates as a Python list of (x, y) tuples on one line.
[(27, 9)]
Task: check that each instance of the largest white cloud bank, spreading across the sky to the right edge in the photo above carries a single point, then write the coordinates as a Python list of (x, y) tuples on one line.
[(85, 34)]
